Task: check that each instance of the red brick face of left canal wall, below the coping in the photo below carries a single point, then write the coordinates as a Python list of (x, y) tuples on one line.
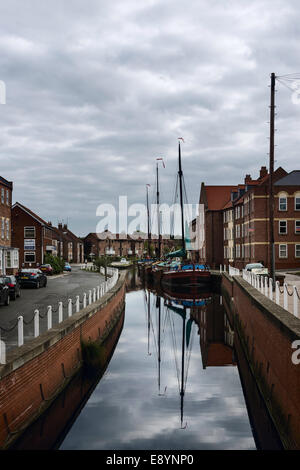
[(20, 391)]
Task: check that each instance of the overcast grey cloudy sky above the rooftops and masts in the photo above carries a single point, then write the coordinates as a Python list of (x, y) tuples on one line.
[(96, 90)]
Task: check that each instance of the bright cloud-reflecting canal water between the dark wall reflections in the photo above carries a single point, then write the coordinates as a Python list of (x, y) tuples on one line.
[(149, 398)]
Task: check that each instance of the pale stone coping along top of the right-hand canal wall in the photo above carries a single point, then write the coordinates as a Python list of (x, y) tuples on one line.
[(283, 319)]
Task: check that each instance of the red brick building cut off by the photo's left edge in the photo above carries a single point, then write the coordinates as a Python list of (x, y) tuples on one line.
[(9, 257)]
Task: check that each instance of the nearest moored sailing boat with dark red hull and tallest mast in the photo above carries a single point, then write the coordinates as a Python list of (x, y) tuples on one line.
[(184, 272)]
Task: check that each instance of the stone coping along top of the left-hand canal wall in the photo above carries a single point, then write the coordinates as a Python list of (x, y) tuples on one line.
[(18, 356)]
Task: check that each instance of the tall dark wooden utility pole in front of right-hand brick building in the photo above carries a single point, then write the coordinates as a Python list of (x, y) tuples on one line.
[(271, 188)]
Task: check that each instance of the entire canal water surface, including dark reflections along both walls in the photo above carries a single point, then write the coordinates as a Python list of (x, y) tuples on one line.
[(172, 381)]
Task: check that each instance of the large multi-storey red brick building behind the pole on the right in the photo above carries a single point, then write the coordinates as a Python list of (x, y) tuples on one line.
[(237, 232)]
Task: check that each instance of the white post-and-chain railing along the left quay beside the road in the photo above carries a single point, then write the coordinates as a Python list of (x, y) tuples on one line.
[(72, 306)]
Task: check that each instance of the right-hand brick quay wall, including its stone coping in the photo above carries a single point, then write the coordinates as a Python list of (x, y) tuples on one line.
[(266, 332)]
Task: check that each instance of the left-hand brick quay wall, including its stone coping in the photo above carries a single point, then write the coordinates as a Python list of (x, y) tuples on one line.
[(37, 372)]
